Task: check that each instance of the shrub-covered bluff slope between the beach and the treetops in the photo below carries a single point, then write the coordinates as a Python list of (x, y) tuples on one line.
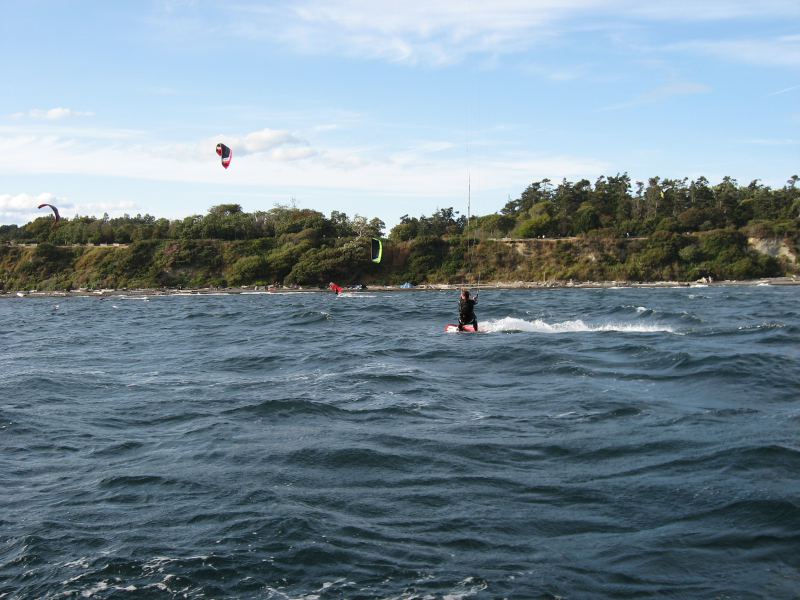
[(719, 255)]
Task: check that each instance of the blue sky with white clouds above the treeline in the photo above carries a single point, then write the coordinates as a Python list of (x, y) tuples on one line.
[(383, 109)]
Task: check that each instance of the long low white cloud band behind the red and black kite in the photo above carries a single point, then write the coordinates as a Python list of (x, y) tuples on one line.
[(423, 170)]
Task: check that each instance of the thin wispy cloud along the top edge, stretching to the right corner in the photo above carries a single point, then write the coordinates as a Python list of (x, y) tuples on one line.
[(447, 31)]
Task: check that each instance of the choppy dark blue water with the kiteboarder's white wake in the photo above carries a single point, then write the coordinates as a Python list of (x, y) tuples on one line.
[(615, 443)]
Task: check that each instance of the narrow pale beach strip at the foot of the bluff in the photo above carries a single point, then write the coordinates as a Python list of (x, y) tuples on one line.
[(503, 285)]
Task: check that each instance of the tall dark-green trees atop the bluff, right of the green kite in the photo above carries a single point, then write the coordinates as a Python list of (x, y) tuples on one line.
[(618, 207)]
